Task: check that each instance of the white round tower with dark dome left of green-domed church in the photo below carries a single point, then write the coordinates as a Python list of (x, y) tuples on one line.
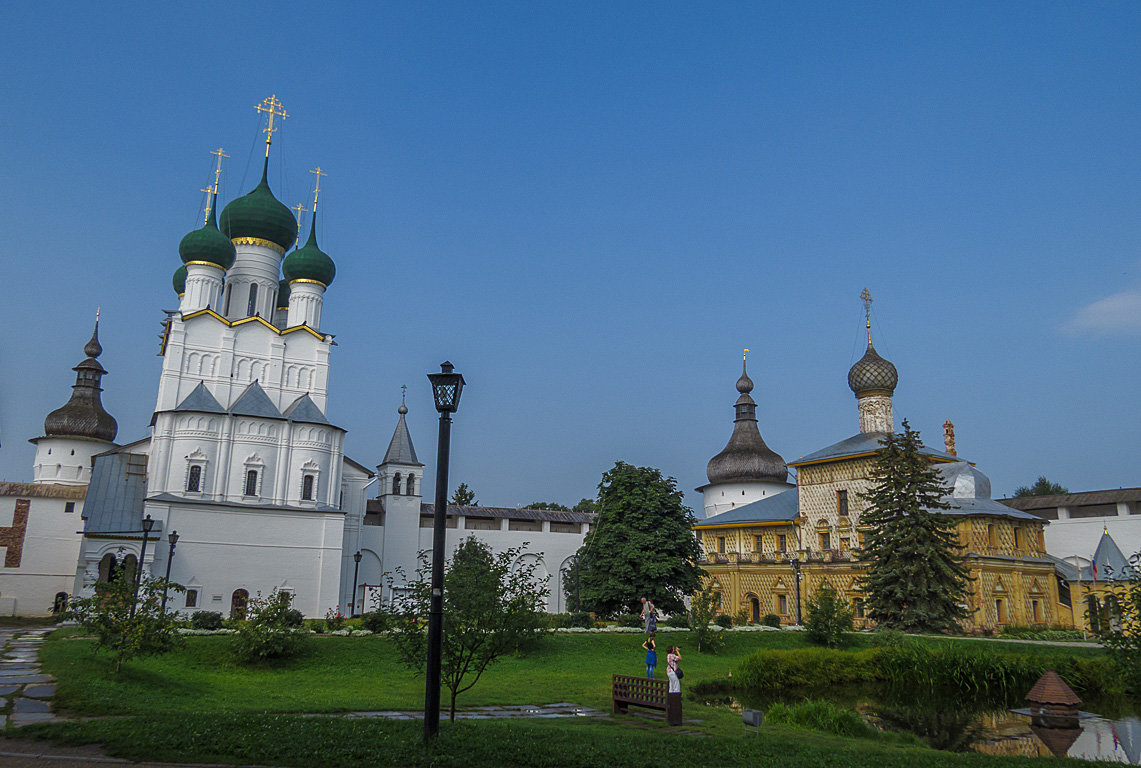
[(78, 431)]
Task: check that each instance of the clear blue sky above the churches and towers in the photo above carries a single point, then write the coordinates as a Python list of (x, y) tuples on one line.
[(593, 208)]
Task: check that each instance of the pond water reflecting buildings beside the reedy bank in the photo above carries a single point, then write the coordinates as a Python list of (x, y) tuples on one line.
[(962, 723)]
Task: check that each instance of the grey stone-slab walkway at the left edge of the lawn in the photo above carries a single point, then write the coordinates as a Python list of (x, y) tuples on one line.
[(26, 692)]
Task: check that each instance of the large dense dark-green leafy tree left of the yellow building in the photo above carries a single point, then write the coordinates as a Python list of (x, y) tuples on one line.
[(643, 545)]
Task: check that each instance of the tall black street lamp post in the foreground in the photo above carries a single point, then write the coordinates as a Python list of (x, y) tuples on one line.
[(446, 389)]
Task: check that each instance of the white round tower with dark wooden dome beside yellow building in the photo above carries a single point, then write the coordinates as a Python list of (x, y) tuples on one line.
[(748, 470)]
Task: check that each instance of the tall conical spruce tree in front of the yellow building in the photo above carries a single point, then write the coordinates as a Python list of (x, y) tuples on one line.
[(916, 579)]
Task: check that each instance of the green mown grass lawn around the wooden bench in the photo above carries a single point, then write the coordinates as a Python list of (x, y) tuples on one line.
[(197, 705)]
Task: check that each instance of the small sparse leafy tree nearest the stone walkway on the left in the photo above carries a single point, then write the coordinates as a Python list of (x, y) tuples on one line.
[(108, 616)]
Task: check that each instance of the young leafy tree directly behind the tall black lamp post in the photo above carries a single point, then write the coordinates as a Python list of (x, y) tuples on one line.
[(492, 605)]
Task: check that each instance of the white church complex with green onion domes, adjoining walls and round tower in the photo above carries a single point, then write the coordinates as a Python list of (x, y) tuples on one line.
[(241, 463)]
